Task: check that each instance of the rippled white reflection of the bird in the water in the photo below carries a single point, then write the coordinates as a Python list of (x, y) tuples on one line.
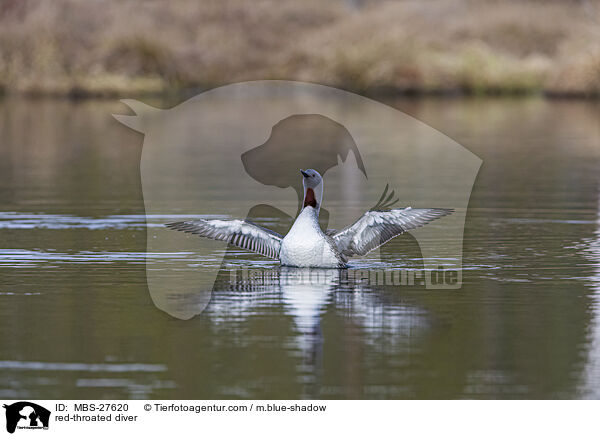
[(370, 314)]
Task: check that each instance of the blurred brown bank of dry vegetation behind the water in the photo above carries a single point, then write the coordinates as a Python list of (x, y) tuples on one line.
[(133, 47)]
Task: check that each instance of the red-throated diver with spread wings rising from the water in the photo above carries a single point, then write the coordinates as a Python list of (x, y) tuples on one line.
[(306, 244)]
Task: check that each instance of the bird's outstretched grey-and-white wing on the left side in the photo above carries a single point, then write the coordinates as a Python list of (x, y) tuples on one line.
[(240, 233)]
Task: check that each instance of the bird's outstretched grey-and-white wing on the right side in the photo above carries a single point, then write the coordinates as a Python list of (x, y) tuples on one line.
[(375, 228)]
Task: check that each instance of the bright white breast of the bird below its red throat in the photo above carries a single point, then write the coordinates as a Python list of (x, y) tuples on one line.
[(305, 244)]
